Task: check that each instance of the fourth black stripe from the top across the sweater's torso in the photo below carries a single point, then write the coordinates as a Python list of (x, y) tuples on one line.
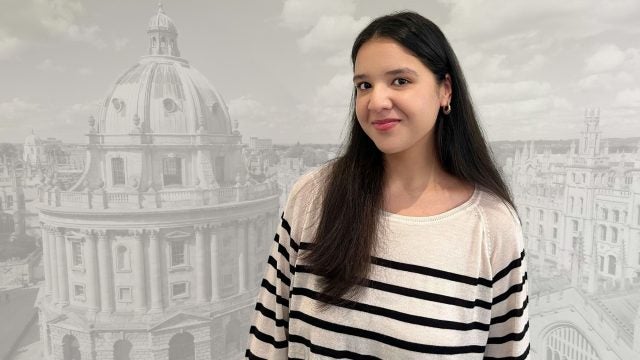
[(385, 339)]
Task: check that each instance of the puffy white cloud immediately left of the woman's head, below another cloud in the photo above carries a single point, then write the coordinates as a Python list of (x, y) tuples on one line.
[(332, 33)]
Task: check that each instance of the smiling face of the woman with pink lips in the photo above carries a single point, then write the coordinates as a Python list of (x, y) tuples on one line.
[(397, 97)]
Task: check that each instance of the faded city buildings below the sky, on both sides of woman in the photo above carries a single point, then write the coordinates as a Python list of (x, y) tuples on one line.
[(149, 239)]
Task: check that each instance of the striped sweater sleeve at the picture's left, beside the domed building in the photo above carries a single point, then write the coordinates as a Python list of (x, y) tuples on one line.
[(269, 332)]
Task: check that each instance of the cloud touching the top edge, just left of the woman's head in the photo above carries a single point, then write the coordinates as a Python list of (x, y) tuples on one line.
[(304, 14)]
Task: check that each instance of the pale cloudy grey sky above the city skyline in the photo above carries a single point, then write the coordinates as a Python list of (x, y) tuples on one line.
[(283, 67)]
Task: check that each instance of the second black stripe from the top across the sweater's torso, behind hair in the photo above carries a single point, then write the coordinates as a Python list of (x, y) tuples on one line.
[(419, 294)]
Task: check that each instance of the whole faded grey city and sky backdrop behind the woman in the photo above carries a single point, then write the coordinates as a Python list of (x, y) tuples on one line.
[(146, 151)]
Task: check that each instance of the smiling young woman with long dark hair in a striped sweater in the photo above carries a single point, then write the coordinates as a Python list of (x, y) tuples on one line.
[(407, 246)]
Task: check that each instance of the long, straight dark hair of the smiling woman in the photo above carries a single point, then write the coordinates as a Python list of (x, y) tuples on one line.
[(345, 238)]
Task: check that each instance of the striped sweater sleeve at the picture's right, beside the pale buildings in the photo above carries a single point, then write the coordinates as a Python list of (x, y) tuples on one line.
[(509, 328)]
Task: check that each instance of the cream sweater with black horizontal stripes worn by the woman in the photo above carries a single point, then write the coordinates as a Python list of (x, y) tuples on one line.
[(449, 286)]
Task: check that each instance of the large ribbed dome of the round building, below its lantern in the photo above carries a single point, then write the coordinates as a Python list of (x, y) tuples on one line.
[(163, 95)]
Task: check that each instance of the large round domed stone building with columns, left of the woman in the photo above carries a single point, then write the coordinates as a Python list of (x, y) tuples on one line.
[(158, 250)]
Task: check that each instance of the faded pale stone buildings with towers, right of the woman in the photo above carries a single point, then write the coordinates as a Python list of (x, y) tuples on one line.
[(580, 213)]
